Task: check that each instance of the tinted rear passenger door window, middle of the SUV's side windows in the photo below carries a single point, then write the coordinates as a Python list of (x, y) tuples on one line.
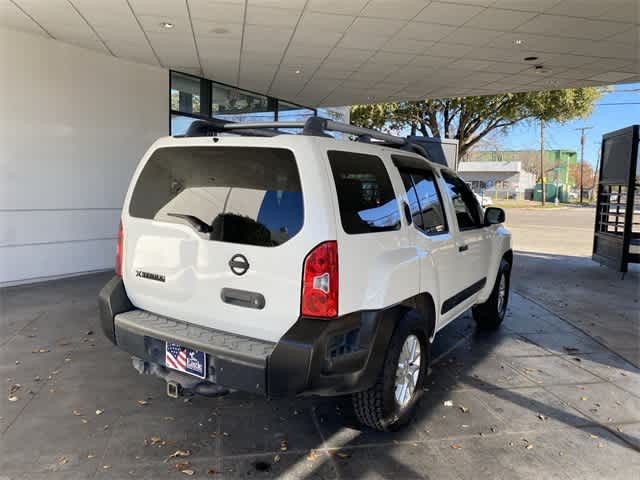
[(423, 188)]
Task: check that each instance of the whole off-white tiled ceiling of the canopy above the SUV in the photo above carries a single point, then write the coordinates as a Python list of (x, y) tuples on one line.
[(346, 51)]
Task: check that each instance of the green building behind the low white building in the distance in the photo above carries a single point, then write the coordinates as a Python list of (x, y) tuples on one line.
[(557, 163)]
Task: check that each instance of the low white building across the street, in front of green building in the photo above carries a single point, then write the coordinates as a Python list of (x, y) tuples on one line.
[(501, 180)]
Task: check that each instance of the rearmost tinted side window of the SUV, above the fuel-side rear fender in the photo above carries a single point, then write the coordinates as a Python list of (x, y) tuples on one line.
[(366, 198)]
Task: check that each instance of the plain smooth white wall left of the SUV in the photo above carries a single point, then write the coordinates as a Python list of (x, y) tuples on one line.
[(73, 125)]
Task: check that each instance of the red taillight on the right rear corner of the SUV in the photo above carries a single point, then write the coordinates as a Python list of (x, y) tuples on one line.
[(320, 282)]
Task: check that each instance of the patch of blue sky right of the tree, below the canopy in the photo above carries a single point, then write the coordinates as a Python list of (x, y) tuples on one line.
[(604, 118)]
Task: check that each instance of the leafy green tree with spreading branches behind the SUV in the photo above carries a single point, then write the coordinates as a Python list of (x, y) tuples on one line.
[(470, 119)]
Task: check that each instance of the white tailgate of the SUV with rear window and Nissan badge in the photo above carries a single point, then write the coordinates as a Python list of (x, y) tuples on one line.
[(216, 235)]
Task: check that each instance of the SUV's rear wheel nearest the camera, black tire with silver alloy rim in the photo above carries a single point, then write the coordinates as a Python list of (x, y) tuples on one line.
[(391, 402)]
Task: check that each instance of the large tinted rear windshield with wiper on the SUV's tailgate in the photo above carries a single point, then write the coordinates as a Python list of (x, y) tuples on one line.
[(230, 194)]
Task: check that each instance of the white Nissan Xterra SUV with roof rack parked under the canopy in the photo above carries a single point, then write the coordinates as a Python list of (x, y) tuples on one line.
[(286, 264)]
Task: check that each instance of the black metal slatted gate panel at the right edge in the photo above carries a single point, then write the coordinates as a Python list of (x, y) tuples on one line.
[(616, 241)]
